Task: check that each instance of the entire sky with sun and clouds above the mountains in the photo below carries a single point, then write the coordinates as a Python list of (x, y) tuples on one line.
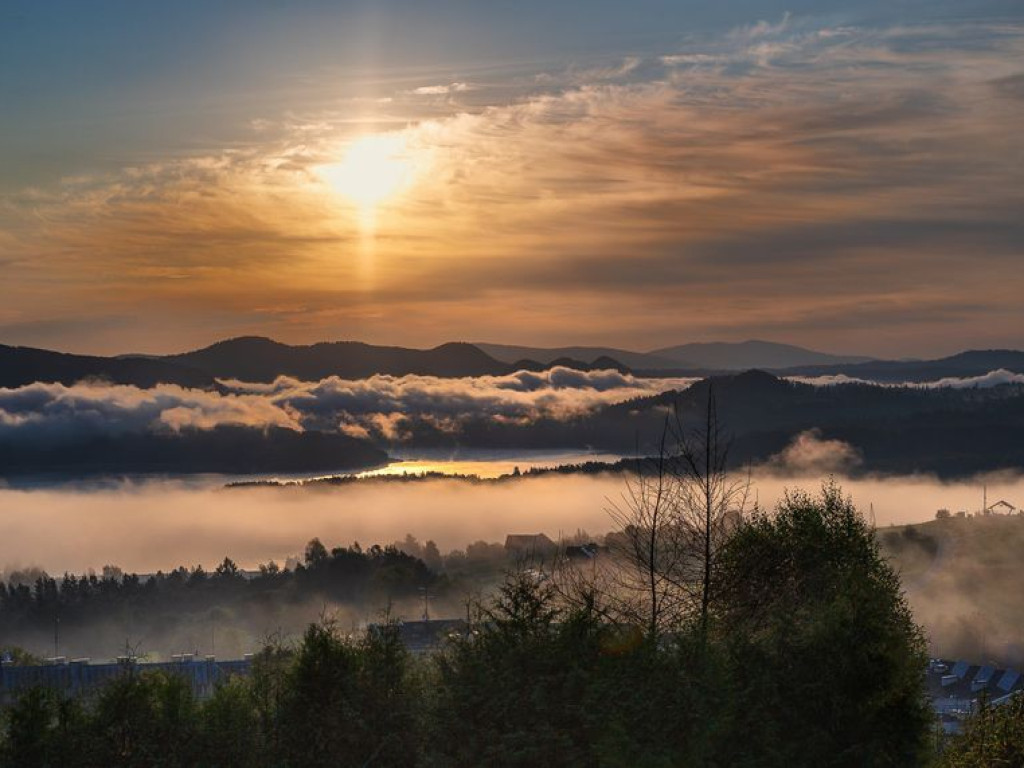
[(844, 176)]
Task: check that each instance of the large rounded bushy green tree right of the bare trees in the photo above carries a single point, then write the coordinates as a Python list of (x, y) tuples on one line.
[(827, 663)]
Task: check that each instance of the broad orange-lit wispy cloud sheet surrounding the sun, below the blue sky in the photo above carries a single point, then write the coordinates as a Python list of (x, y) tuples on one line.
[(785, 180)]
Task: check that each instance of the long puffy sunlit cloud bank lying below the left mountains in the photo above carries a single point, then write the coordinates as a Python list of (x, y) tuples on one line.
[(374, 407)]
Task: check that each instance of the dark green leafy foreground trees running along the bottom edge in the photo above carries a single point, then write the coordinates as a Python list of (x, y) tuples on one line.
[(807, 657)]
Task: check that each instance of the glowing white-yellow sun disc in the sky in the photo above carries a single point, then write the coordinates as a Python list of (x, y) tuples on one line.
[(374, 169)]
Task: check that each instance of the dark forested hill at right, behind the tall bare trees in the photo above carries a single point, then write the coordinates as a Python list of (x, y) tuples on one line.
[(951, 433)]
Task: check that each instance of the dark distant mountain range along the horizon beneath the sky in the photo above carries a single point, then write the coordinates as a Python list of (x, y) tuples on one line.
[(262, 360)]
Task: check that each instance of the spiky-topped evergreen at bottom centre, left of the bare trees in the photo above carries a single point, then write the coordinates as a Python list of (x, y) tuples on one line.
[(513, 694)]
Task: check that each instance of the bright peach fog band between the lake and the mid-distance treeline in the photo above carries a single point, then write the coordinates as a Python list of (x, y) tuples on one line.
[(159, 525)]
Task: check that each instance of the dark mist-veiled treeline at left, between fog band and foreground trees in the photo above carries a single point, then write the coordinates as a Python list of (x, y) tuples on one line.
[(97, 615)]
